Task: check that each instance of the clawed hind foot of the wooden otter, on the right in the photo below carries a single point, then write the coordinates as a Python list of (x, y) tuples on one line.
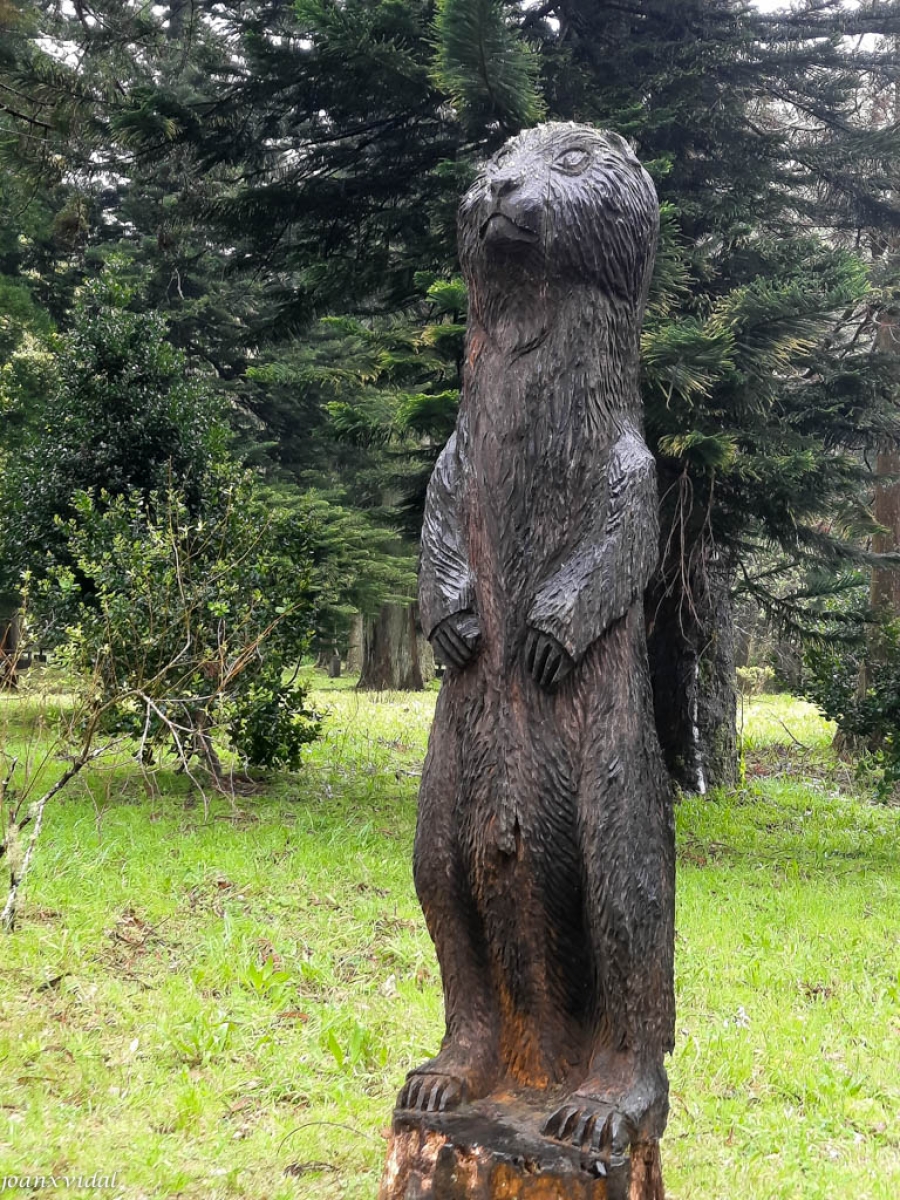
[(607, 1120)]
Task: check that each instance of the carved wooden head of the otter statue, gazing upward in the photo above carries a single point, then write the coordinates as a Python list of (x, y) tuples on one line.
[(561, 206)]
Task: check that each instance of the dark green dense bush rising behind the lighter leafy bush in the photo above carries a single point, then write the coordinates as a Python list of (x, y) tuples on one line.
[(111, 405)]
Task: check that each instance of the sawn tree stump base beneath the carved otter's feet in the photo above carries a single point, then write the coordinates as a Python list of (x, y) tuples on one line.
[(494, 1150)]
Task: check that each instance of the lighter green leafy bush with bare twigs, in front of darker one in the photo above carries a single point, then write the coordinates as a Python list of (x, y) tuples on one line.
[(188, 621)]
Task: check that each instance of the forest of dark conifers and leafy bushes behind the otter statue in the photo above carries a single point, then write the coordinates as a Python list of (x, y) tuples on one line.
[(231, 309)]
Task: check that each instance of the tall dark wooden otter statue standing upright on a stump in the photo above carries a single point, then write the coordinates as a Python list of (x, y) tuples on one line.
[(545, 848)]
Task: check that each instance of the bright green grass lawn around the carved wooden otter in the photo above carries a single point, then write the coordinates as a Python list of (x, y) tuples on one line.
[(225, 1005)]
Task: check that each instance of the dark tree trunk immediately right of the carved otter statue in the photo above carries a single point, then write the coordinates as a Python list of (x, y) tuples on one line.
[(691, 639)]
